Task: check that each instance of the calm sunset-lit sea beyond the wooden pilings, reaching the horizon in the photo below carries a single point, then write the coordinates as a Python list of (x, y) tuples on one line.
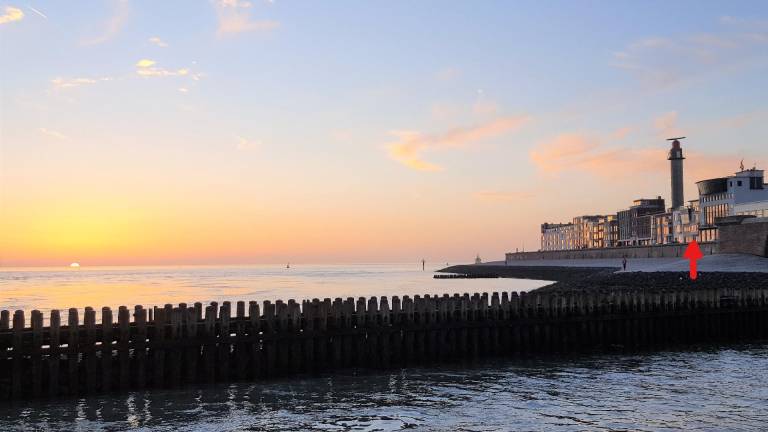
[(61, 288)]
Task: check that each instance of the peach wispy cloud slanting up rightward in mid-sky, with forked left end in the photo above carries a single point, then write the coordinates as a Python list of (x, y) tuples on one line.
[(410, 145)]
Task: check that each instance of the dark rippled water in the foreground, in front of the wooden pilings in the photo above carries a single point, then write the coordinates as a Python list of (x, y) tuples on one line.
[(710, 388)]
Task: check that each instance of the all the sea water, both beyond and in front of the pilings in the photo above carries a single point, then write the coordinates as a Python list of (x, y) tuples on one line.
[(704, 388)]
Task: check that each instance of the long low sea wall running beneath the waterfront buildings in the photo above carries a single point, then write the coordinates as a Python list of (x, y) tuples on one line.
[(658, 251)]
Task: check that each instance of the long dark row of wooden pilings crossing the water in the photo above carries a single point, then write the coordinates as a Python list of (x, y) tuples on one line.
[(182, 345)]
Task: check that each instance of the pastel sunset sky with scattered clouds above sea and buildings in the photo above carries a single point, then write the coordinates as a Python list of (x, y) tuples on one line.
[(237, 132)]
